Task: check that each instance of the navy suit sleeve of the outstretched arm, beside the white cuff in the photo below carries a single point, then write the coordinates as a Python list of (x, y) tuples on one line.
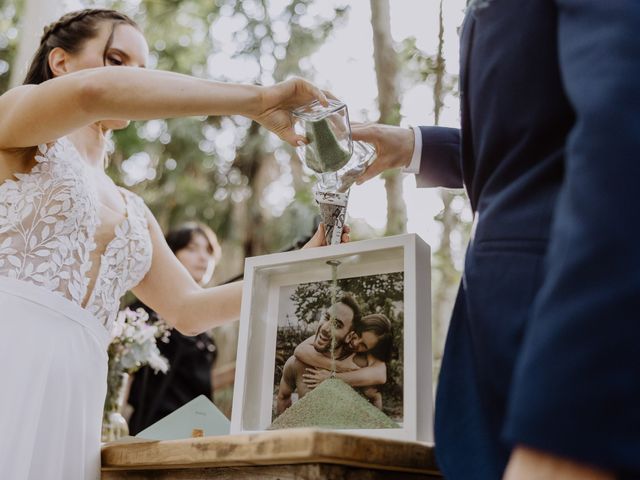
[(440, 158)]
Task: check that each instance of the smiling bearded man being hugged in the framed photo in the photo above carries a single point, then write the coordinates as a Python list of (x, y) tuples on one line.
[(346, 314)]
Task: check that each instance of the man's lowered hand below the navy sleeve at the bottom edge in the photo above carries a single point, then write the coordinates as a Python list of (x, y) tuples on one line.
[(528, 464)]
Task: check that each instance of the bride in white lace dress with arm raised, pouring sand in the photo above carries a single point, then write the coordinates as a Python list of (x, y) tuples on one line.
[(72, 243)]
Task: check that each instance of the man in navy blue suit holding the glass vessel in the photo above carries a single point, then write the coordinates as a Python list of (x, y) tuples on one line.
[(541, 372)]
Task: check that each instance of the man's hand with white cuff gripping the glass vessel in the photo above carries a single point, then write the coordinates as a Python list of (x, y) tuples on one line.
[(394, 147)]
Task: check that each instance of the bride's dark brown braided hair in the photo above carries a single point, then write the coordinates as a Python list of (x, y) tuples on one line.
[(69, 33)]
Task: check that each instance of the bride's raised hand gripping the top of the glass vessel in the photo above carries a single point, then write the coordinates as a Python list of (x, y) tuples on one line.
[(278, 100)]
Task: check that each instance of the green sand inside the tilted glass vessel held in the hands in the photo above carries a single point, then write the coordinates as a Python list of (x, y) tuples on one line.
[(324, 153)]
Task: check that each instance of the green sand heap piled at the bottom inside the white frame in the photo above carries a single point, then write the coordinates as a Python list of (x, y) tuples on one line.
[(333, 404)]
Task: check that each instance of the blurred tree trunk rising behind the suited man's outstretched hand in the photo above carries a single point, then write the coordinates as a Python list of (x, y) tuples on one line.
[(386, 64)]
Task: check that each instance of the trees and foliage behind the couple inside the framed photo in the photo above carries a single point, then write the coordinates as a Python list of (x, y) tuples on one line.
[(374, 294)]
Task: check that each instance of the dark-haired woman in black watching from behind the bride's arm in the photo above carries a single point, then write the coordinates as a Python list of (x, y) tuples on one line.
[(155, 395)]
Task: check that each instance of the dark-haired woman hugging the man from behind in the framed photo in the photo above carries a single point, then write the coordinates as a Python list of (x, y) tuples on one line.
[(369, 344)]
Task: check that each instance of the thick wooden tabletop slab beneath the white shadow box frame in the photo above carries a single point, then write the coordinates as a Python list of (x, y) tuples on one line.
[(282, 447)]
